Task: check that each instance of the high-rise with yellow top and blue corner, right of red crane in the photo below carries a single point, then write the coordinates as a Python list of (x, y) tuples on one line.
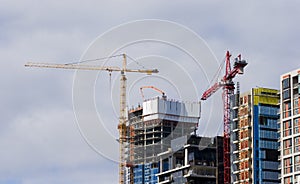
[(254, 137)]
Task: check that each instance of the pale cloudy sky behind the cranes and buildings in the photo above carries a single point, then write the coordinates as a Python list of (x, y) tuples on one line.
[(42, 138)]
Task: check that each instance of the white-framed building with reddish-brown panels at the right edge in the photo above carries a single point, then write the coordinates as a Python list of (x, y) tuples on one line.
[(290, 127)]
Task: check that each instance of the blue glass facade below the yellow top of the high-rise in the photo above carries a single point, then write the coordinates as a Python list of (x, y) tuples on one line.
[(267, 138)]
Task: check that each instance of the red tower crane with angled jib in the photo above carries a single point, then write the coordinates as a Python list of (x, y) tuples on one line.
[(228, 88)]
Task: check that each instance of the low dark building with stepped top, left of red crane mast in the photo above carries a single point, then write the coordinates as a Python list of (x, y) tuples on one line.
[(192, 159)]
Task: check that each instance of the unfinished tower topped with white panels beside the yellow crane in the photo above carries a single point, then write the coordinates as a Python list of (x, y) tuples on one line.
[(151, 127)]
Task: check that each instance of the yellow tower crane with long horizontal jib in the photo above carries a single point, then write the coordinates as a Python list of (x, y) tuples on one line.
[(122, 119)]
